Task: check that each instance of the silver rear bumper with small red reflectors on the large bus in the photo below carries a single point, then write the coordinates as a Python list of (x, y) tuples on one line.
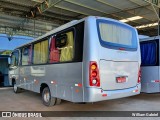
[(95, 94)]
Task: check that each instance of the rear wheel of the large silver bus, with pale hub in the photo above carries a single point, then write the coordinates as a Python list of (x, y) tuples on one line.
[(47, 99)]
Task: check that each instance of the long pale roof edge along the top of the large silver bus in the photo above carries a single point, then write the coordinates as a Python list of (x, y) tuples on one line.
[(69, 24)]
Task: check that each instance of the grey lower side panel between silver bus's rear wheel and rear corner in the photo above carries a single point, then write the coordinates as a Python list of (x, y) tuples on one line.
[(66, 81)]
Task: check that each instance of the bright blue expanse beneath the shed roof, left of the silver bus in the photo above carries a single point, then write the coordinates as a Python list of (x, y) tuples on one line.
[(5, 44)]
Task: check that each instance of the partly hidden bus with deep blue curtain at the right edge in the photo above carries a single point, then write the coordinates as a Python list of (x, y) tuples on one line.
[(150, 64)]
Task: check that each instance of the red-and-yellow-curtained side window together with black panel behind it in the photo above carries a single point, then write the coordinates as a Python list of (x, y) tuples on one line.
[(67, 45)]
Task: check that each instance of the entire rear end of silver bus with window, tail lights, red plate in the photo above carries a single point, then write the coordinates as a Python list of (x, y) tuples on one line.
[(113, 62)]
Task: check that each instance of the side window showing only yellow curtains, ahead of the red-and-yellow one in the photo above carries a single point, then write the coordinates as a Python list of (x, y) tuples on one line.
[(40, 52)]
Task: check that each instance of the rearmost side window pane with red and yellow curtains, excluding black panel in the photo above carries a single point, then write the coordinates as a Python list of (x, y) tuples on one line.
[(61, 47)]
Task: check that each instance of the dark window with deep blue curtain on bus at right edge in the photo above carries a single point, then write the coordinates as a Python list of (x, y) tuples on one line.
[(149, 53)]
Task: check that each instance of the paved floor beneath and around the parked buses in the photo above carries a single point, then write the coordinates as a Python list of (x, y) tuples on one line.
[(29, 101)]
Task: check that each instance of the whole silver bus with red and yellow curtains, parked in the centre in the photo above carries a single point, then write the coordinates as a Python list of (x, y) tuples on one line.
[(89, 60)]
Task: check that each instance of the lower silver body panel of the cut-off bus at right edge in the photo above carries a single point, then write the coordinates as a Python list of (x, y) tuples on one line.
[(149, 76)]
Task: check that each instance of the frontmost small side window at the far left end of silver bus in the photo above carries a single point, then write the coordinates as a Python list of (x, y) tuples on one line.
[(15, 58)]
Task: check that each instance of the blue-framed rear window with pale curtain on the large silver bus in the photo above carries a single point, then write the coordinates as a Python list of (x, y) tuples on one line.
[(116, 35)]
